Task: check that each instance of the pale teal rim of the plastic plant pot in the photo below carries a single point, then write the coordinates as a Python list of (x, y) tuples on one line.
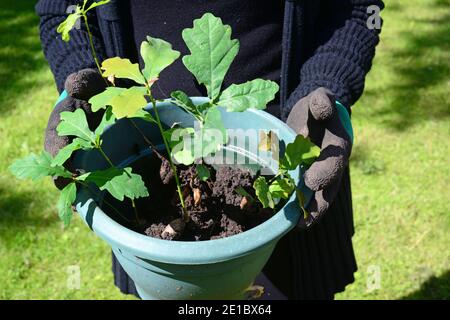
[(191, 252)]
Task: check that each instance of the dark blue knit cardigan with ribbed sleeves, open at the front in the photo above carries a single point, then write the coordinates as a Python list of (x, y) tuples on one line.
[(325, 43)]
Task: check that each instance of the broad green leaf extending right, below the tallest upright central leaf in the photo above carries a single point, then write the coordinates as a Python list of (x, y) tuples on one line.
[(253, 94)]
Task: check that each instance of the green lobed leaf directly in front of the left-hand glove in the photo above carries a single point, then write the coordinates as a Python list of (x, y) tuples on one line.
[(75, 124)]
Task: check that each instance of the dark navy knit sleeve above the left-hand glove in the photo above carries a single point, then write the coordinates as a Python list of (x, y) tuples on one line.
[(65, 58)]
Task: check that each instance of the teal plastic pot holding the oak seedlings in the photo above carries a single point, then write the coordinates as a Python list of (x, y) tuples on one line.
[(161, 269)]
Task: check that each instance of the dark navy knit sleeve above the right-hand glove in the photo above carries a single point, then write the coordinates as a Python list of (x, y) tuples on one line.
[(342, 62)]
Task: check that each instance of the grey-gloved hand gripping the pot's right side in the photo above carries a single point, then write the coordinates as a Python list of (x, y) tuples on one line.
[(328, 125)]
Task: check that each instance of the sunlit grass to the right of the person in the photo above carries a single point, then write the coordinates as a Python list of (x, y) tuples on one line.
[(401, 160)]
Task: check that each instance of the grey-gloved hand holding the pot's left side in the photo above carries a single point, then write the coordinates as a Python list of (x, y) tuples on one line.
[(79, 88)]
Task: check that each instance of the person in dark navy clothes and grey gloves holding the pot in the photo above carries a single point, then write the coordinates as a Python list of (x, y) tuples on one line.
[(319, 51)]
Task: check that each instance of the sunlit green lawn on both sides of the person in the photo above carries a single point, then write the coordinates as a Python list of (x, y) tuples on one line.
[(400, 167)]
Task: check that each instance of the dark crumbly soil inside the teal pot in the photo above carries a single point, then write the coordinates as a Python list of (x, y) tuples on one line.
[(216, 210)]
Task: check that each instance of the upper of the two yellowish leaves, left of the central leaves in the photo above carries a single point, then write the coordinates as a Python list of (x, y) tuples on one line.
[(122, 68)]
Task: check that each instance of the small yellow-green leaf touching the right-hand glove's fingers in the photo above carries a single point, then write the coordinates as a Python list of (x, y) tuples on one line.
[(301, 151)]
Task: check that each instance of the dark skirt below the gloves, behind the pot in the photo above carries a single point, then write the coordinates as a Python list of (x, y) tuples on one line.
[(307, 264)]
